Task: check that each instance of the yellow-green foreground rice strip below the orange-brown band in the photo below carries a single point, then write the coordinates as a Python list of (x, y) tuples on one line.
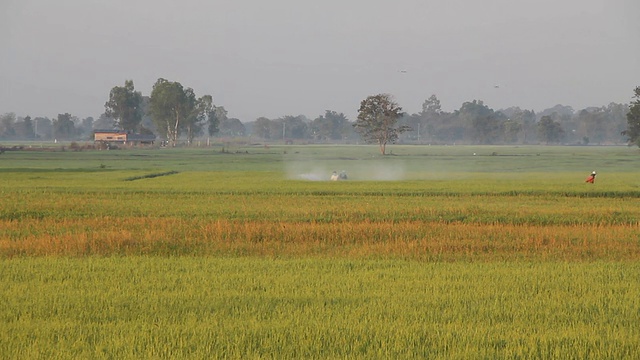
[(244, 307)]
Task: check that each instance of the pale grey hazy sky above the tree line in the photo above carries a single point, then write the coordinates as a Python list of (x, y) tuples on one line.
[(297, 57)]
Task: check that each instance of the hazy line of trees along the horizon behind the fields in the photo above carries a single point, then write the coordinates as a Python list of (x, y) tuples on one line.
[(174, 113)]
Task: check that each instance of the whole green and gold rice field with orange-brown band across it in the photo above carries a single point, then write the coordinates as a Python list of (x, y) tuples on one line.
[(430, 252)]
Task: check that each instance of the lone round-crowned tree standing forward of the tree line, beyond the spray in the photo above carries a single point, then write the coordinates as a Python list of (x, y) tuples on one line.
[(377, 119)]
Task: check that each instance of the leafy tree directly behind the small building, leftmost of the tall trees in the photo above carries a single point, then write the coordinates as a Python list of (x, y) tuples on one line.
[(124, 106)]
